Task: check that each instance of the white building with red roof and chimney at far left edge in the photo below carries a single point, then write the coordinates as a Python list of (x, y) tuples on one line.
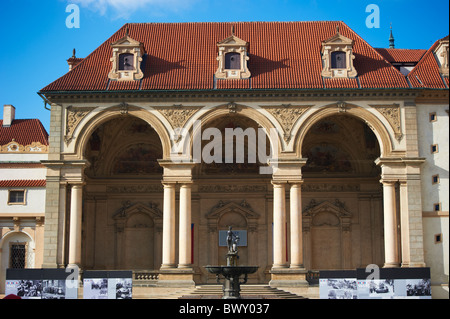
[(23, 145)]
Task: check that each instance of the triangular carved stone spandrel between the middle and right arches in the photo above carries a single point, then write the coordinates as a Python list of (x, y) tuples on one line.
[(287, 115)]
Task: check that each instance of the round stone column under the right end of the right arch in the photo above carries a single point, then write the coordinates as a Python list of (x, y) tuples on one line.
[(390, 225)]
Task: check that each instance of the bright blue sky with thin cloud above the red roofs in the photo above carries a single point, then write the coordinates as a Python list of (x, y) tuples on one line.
[(36, 41)]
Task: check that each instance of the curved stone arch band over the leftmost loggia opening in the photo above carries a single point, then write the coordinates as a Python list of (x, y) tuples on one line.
[(91, 123)]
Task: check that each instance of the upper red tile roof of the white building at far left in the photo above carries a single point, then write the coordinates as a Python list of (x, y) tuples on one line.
[(23, 132)]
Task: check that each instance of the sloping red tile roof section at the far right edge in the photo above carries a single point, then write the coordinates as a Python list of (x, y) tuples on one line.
[(426, 73)]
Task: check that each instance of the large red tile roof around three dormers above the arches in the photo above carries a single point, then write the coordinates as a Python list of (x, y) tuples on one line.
[(182, 56)]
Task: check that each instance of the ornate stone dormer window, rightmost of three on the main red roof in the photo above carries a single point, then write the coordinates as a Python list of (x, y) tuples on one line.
[(337, 57)]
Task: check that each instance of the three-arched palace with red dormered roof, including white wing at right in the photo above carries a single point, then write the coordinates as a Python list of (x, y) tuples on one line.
[(357, 141)]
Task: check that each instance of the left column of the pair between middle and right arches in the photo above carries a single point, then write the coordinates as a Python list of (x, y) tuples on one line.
[(279, 222)]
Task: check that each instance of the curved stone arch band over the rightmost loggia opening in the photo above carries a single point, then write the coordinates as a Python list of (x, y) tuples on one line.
[(383, 133)]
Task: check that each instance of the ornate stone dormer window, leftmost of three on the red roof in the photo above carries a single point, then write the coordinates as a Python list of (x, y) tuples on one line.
[(126, 59)]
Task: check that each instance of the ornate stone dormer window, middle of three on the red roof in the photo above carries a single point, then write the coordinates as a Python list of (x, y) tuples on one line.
[(233, 57)]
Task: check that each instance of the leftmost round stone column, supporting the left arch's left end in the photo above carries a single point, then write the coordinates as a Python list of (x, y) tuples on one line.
[(75, 225)]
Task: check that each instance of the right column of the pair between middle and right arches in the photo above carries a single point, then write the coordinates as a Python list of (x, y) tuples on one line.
[(296, 227)]
